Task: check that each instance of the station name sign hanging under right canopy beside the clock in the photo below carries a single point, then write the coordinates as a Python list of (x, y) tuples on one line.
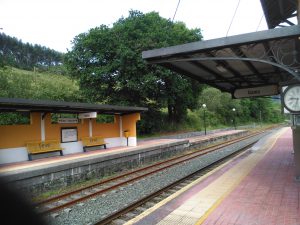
[(256, 92)]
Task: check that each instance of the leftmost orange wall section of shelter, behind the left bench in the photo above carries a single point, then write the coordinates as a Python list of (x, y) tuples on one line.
[(12, 136)]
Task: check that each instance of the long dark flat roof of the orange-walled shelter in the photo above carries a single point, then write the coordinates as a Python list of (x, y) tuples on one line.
[(17, 104)]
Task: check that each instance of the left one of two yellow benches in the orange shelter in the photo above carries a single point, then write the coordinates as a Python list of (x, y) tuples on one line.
[(39, 147)]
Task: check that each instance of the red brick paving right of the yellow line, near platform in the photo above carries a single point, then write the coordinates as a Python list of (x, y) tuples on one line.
[(267, 196)]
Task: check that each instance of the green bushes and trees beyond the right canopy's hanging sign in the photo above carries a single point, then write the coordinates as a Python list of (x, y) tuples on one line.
[(220, 105)]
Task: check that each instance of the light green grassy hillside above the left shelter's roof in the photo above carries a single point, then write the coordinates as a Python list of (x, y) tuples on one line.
[(18, 83)]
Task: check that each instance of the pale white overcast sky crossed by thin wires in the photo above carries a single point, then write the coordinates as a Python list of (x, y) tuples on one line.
[(54, 23)]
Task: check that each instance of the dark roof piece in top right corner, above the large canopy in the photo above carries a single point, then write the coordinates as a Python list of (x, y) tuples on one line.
[(279, 12)]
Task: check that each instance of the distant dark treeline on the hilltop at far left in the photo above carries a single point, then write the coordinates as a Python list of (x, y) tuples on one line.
[(14, 52)]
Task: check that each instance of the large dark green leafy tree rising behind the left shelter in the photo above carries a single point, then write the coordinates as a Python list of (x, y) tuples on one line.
[(108, 63)]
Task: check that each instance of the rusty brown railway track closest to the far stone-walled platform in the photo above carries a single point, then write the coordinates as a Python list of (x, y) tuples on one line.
[(68, 199)]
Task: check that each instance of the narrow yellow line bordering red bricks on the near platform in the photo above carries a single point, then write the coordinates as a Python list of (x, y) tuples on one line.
[(220, 200)]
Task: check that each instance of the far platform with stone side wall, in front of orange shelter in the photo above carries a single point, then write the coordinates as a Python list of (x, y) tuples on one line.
[(45, 174)]
